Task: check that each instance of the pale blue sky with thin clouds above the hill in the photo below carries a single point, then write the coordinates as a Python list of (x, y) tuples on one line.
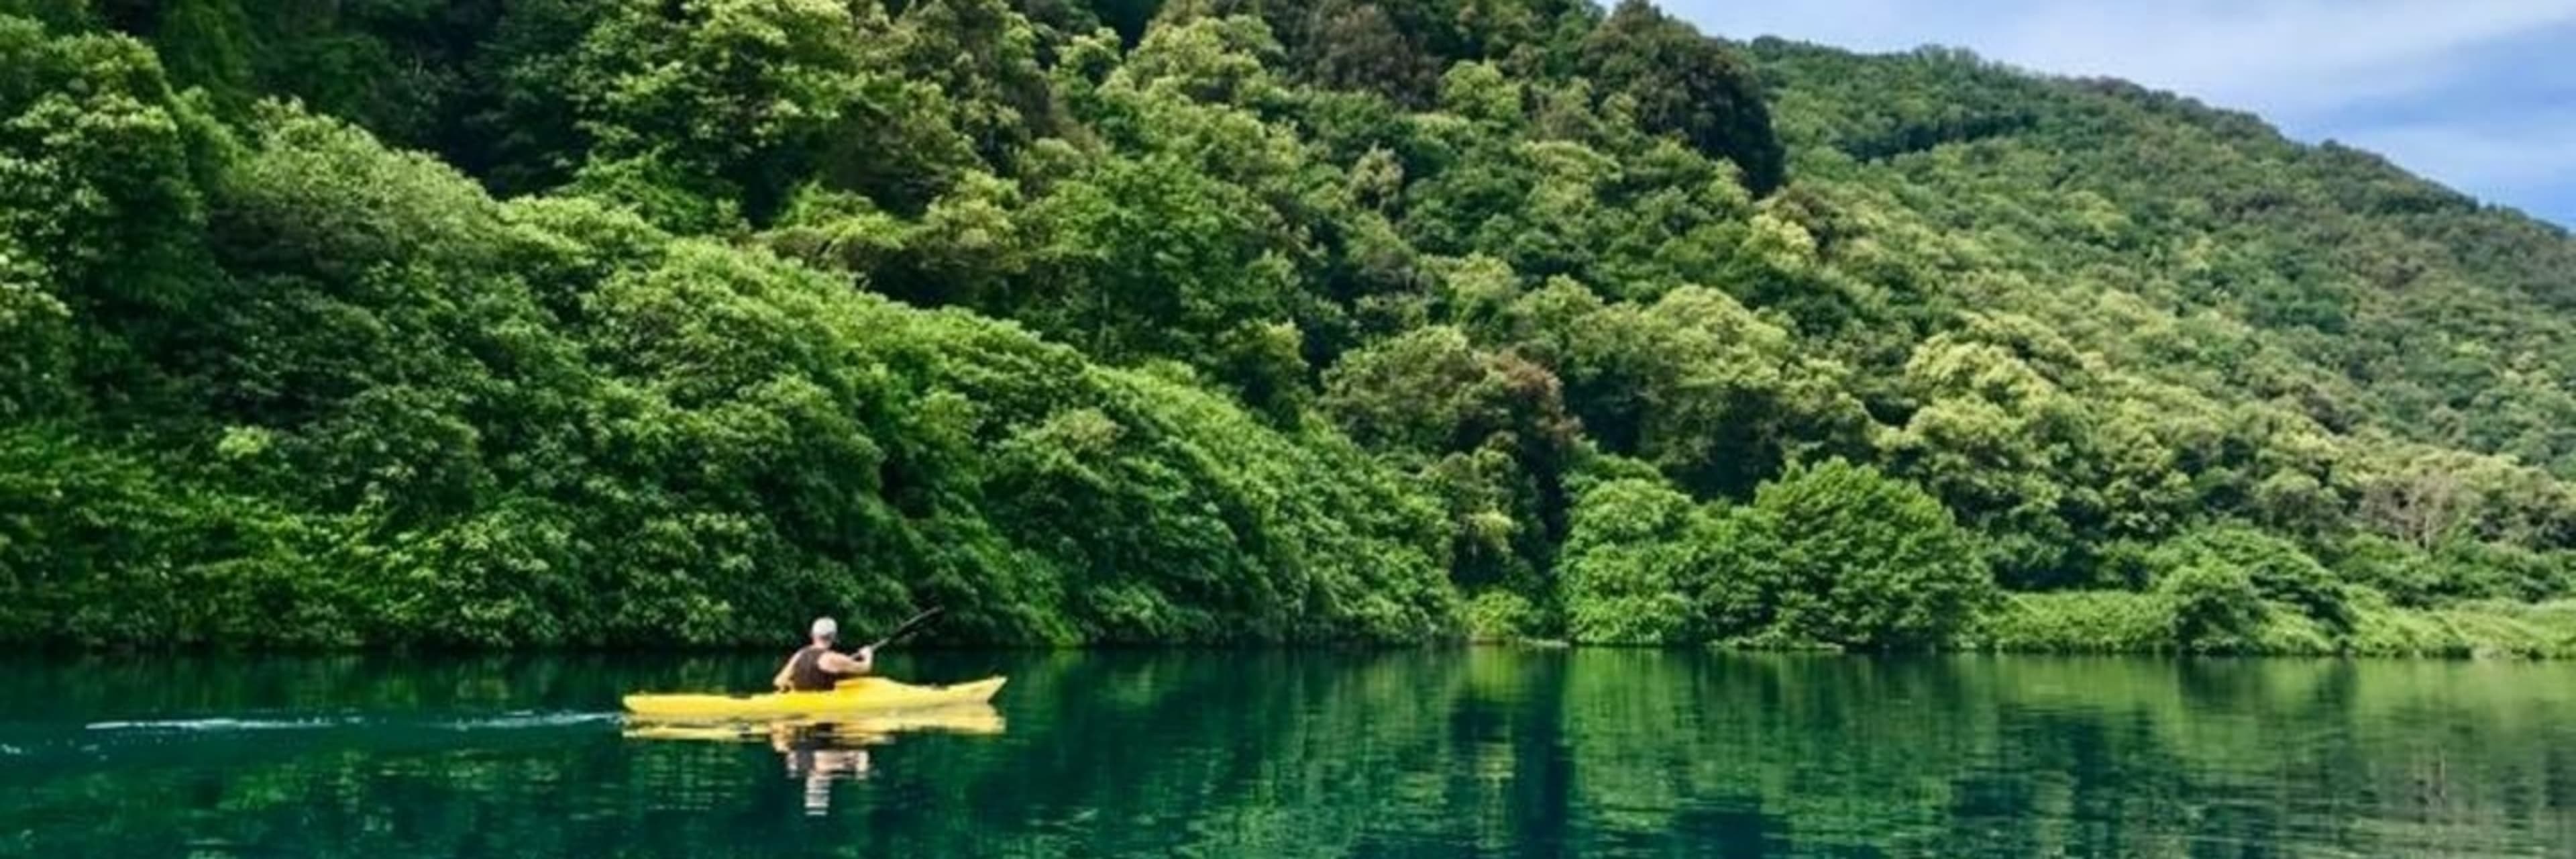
[(2474, 94)]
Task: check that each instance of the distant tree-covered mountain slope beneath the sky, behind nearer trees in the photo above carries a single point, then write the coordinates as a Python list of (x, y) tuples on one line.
[(2407, 306)]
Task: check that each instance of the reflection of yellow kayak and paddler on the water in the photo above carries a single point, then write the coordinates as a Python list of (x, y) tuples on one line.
[(826, 749)]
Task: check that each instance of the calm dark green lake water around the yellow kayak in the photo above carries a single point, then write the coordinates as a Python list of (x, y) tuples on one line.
[(1307, 755)]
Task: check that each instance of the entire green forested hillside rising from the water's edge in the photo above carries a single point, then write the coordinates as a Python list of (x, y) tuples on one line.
[(1215, 321)]
